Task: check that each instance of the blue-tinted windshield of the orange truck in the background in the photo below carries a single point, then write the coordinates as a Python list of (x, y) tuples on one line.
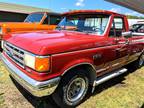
[(35, 17)]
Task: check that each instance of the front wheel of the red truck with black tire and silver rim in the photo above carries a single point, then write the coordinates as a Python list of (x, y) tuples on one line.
[(72, 89)]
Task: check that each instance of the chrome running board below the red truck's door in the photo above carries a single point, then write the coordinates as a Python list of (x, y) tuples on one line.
[(108, 77)]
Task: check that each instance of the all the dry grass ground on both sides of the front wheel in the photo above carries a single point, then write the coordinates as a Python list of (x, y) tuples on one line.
[(126, 91)]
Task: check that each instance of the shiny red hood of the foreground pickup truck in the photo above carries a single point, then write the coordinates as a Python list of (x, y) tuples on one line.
[(54, 42)]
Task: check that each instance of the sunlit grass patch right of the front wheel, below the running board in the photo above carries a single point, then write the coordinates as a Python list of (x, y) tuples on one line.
[(127, 92)]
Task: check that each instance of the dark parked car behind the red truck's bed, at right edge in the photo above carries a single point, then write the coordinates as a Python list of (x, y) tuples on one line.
[(138, 29)]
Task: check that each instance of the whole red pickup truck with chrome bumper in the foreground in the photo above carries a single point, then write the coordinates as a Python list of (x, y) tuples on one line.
[(88, 48)]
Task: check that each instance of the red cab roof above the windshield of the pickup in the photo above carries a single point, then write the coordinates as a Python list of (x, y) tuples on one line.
[(90, 11)]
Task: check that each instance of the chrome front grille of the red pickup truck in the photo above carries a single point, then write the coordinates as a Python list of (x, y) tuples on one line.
[(14, 53)]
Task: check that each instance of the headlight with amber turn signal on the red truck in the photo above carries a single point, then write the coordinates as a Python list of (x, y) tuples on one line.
[(38, 63)]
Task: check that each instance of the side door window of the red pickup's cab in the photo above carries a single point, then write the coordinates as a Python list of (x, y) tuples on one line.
[(117, 27)]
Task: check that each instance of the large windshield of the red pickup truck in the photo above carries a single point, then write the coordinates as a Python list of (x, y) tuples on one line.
[(85, 23)]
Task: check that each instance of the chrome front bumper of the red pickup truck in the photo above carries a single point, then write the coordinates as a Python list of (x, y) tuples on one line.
[(36, 88)]
